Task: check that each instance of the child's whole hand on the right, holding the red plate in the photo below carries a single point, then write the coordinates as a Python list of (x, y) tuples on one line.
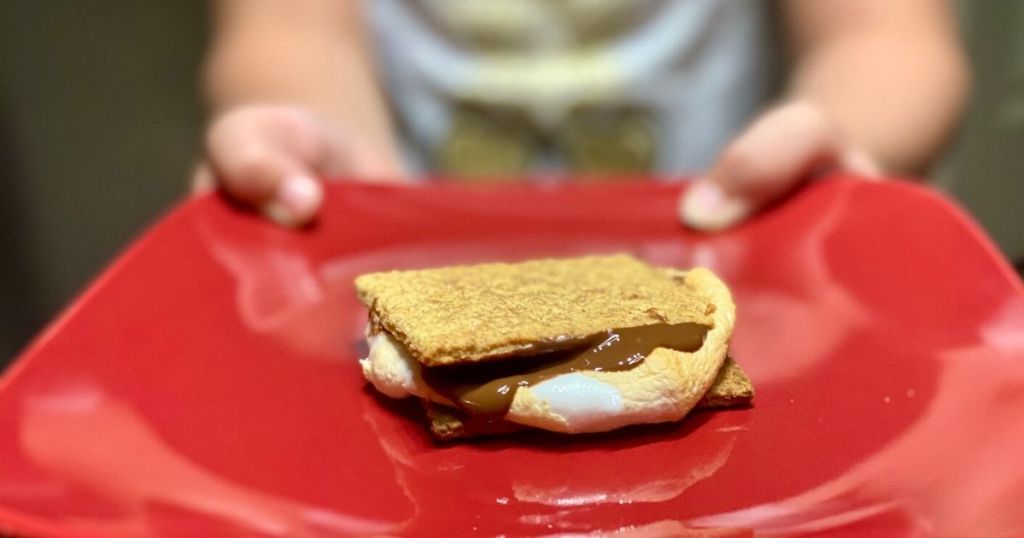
[(784, 148)]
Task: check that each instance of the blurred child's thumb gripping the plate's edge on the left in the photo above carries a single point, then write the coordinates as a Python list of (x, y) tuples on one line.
[(267, 159)]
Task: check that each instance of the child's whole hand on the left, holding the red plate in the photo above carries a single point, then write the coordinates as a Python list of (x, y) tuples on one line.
[(271, 157)]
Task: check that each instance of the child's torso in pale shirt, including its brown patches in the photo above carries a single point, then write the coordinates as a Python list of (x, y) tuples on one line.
[(591, 85)]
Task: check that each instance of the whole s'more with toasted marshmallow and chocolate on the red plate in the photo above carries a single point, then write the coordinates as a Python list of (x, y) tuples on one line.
[(572, 346)]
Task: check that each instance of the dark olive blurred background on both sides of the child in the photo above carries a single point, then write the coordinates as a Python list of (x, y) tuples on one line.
[(101, 125)]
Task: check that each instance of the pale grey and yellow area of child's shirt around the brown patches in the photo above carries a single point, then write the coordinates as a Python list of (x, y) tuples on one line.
[(699, 69)]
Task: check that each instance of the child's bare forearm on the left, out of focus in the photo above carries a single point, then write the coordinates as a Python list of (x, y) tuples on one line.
[(310, 53)]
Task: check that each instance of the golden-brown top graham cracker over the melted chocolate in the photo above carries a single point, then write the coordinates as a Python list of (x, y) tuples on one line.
[(467, 314)]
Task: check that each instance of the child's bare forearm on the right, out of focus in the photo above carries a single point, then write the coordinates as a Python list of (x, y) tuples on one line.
[(894, 92)]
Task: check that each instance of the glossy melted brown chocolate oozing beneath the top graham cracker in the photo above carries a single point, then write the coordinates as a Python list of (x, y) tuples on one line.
[(488, 389)]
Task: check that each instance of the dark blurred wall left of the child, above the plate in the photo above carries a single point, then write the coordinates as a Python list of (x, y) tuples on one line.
[(99, 128)]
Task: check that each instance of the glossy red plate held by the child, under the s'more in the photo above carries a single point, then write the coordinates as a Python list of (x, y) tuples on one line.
[(207, 384)]
